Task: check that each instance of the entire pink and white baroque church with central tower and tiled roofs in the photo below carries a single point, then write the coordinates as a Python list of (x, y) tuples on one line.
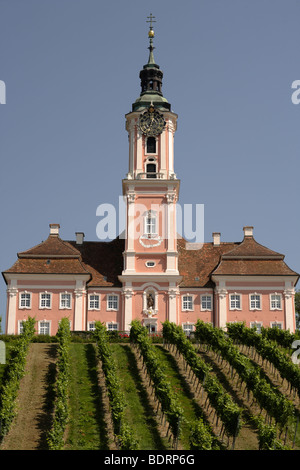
[(150, 274)]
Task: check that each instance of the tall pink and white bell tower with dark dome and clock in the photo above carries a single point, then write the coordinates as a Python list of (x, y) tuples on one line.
[(151, 190)]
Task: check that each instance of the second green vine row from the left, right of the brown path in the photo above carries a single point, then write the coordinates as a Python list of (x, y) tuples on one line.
[(55, 436)]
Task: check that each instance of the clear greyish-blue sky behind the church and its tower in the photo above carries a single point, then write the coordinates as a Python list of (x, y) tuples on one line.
[(71, 72)]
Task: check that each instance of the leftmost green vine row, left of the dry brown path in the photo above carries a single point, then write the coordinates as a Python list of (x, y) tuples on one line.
[(15, 370)]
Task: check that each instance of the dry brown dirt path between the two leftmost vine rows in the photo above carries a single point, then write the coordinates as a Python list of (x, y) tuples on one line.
[(28, 431)]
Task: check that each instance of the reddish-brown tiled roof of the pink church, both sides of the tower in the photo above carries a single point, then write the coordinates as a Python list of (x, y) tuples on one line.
[(104, 261)]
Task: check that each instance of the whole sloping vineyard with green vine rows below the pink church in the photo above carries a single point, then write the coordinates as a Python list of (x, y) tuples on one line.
[(233, 390)]
